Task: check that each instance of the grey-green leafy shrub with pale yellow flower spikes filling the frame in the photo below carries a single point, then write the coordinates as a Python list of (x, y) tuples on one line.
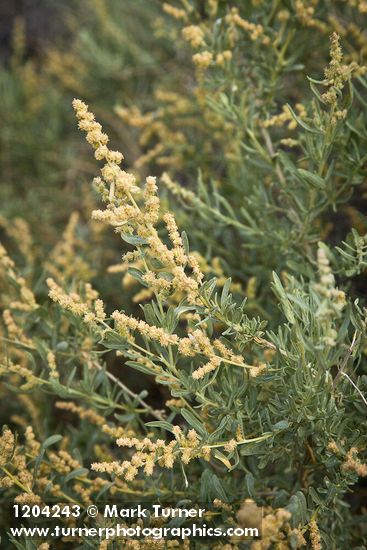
[(248, 269)]
